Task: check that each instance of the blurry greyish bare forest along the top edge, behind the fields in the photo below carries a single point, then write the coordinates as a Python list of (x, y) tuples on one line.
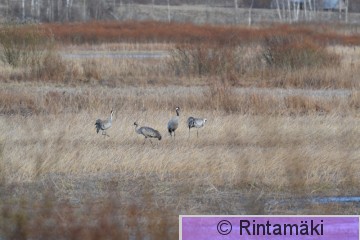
[(80, 10)]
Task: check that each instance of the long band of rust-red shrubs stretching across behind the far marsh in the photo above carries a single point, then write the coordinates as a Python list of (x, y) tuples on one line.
[(98, 32)]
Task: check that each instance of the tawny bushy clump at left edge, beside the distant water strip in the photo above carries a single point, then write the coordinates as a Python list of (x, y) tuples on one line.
[(31, 49)]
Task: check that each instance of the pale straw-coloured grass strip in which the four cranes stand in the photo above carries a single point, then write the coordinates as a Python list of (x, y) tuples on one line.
[(308, 154)]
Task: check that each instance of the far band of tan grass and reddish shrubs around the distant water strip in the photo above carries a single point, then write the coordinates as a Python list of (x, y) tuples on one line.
[(278, 56)]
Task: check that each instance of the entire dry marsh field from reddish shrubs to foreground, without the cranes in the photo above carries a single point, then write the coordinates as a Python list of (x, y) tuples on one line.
[(281, 131)]
